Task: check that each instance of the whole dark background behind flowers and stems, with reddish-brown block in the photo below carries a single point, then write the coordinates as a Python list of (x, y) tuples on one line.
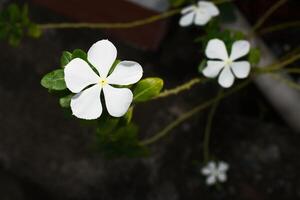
[(45, 154)]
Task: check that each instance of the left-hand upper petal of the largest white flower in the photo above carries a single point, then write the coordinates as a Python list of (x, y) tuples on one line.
[(79, 75)]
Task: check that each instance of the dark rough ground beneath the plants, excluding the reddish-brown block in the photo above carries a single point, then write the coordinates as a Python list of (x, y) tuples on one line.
[(46, 155)]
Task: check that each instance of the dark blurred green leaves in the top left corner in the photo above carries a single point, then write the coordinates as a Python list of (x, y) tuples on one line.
[(15, 24)]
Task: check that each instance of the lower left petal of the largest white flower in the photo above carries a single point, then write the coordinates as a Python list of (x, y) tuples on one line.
[(87, 104)]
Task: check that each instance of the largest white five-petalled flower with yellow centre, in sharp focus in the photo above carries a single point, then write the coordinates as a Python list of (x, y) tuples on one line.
[(88, 85)]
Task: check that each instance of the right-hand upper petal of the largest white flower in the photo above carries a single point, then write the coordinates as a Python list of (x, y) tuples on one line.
[(126, 73)]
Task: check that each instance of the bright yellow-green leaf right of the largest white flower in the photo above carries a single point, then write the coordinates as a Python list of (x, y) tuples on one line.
[(147, 89)]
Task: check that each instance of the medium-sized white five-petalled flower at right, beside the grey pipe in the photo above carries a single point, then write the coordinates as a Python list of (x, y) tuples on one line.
[(227, 65)]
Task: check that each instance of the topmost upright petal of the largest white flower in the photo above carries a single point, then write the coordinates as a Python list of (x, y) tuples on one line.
[(102, 55)]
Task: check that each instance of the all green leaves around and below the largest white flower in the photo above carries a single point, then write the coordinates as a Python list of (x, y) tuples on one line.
[(116, 137)]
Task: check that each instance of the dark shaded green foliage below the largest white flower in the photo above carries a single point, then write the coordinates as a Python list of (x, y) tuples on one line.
[(120, 141)]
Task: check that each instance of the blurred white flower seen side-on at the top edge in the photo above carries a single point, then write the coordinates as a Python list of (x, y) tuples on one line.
[(199, 14)]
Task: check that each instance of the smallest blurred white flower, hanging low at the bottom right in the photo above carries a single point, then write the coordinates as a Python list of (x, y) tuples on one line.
[(215, 173)]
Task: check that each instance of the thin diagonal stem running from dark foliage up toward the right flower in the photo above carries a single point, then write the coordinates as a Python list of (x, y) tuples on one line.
[(190, 113)]
